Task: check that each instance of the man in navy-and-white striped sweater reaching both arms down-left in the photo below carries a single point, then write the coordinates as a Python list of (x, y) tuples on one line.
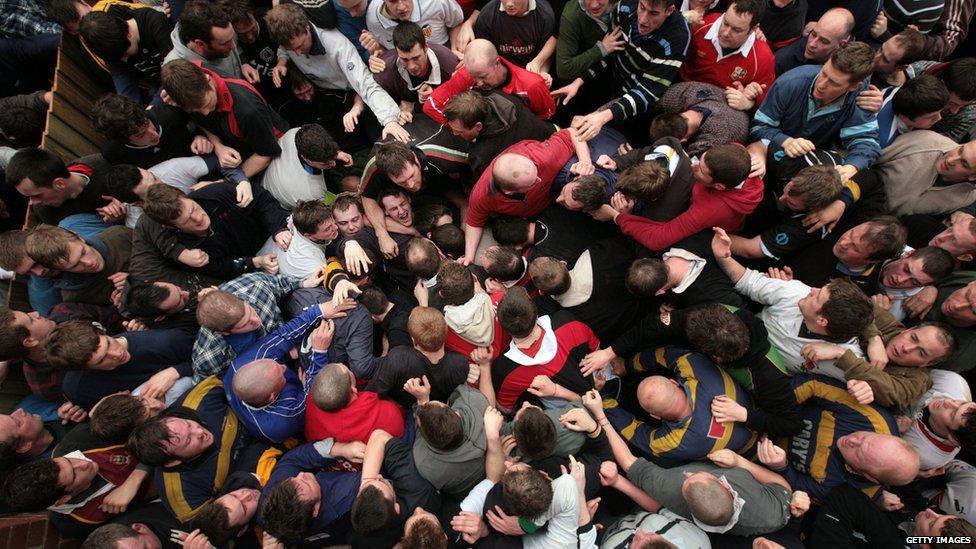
[(656, 42)]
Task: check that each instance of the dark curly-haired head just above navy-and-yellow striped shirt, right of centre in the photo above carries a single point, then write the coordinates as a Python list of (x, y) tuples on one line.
[(717, 333)]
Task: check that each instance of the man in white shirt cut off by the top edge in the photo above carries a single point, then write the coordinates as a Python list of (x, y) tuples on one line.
[(439, 19)]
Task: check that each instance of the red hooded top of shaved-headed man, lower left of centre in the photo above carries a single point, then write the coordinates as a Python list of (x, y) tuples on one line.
[(354, 422)]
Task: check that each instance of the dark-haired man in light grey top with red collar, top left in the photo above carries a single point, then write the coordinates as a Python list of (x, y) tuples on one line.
[(204, 34)]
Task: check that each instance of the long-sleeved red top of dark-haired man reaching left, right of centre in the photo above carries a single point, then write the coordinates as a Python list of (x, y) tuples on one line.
[(709, 208)]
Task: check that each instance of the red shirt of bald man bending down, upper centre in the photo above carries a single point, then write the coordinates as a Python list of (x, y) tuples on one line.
[(549, 156)]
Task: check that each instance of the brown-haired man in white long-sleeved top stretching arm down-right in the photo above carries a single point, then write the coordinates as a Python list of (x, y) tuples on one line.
[(329, 61)]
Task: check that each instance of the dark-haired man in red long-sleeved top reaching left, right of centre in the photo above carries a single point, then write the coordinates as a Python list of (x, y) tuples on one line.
[(722, 197)]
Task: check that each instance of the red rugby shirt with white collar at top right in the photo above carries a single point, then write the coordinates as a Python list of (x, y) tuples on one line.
[(703, 63)]
